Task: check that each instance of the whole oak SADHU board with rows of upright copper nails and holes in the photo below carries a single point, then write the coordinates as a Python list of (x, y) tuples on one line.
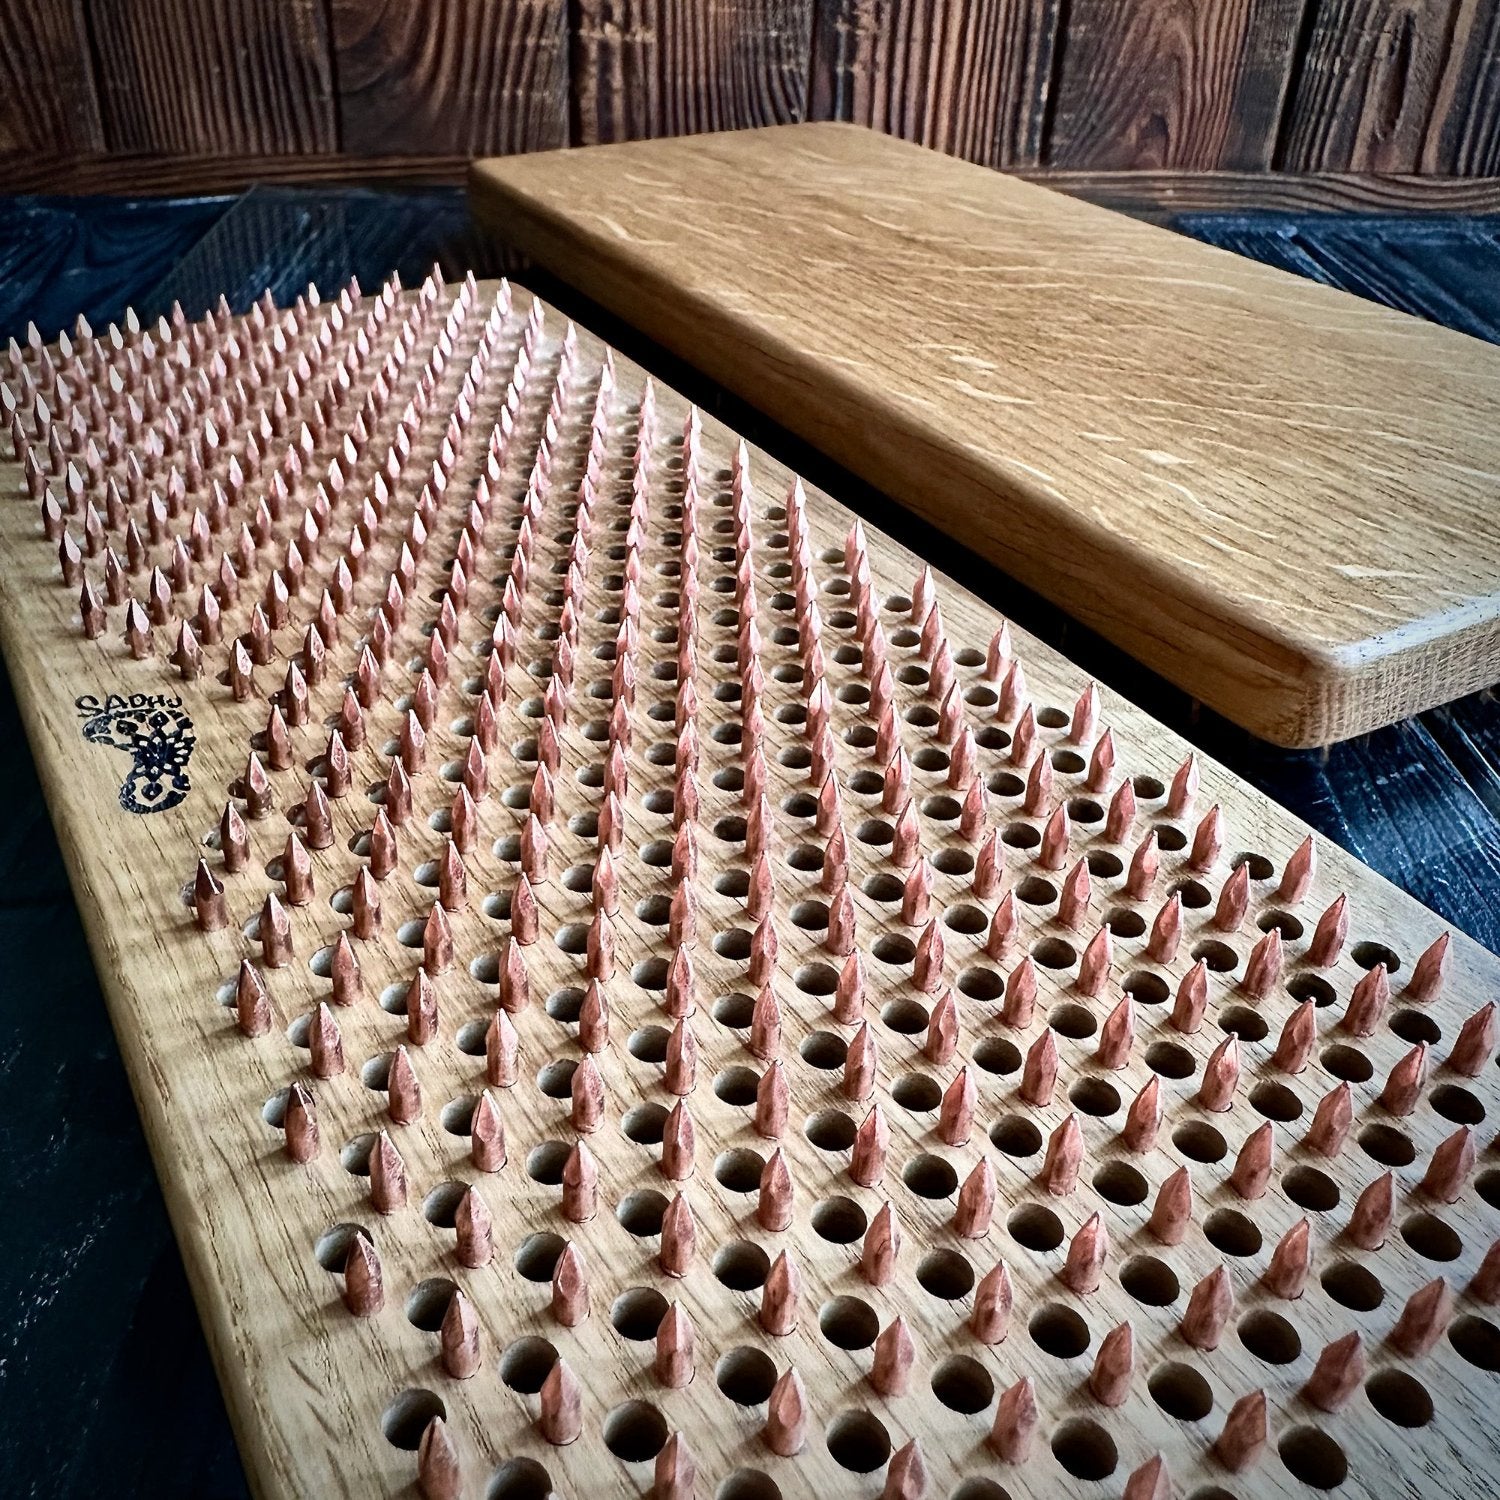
[(638, 986)]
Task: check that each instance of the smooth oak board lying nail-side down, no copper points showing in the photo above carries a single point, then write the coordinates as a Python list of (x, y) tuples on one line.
[(1271, 493)]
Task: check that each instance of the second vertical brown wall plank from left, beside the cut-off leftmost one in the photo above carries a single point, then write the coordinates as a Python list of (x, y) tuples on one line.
[(185, 79)]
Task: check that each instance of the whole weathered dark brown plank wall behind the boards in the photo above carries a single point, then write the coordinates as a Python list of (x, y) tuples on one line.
[(118, 95)]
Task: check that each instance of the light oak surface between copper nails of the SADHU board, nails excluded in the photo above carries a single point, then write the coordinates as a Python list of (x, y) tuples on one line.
[(313, 1390)]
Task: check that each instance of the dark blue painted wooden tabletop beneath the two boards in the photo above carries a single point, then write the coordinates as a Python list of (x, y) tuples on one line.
[(106, 1384)]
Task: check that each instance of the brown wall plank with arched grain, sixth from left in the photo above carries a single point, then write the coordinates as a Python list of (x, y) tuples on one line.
[(1195, 85)]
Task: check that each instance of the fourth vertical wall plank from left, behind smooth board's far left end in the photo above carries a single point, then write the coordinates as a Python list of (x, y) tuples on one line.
[(646, 68)]
